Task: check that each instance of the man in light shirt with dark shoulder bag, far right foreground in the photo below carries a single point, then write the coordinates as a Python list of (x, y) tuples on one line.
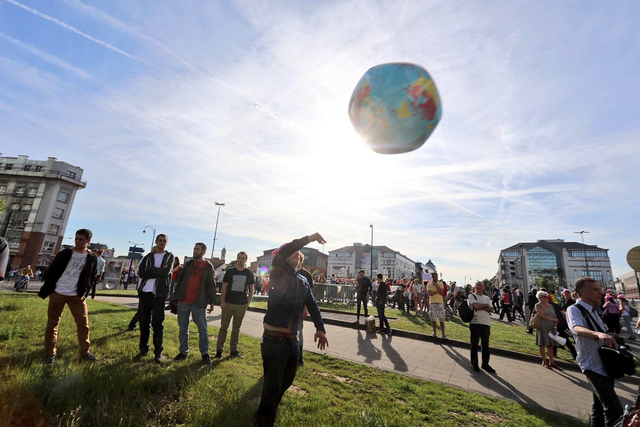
[(588, 330)]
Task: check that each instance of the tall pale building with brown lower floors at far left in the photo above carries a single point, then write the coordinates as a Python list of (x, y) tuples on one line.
[(38, 195)]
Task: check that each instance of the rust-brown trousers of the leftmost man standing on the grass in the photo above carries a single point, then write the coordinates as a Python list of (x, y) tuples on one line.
[(78, 307)]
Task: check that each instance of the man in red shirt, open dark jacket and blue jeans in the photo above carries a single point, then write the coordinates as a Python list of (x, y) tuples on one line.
[(194, 291)]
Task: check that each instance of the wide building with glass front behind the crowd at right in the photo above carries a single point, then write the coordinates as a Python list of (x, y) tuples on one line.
[(549, 263)]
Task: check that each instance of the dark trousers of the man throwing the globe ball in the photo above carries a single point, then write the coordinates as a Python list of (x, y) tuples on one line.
[(279, 362)]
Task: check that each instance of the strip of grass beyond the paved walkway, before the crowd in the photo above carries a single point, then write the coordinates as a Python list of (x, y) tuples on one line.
[(503, 335)]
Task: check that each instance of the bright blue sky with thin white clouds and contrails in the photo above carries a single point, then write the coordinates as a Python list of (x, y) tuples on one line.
[(172, 106)]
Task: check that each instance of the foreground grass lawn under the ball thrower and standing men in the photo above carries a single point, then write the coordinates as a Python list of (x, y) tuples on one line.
[(113, 391)]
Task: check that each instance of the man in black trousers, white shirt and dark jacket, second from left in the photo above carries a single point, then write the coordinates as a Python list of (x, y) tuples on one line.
[(155, 274)]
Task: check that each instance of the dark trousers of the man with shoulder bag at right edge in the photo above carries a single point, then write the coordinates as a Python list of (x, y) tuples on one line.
[(606, 409)]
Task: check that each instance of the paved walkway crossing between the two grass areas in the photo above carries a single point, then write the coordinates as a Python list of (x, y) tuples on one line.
[(528, 383)]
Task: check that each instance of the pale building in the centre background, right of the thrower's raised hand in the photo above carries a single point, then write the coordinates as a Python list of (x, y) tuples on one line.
[(345, 262)]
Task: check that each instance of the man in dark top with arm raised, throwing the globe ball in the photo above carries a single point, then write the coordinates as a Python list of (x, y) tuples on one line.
[(288, 294)]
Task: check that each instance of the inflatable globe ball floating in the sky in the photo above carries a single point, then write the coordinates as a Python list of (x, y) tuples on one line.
[(395, 107)]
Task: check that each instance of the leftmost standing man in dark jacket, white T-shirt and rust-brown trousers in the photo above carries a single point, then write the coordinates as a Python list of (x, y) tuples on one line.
[(67, 281)]
